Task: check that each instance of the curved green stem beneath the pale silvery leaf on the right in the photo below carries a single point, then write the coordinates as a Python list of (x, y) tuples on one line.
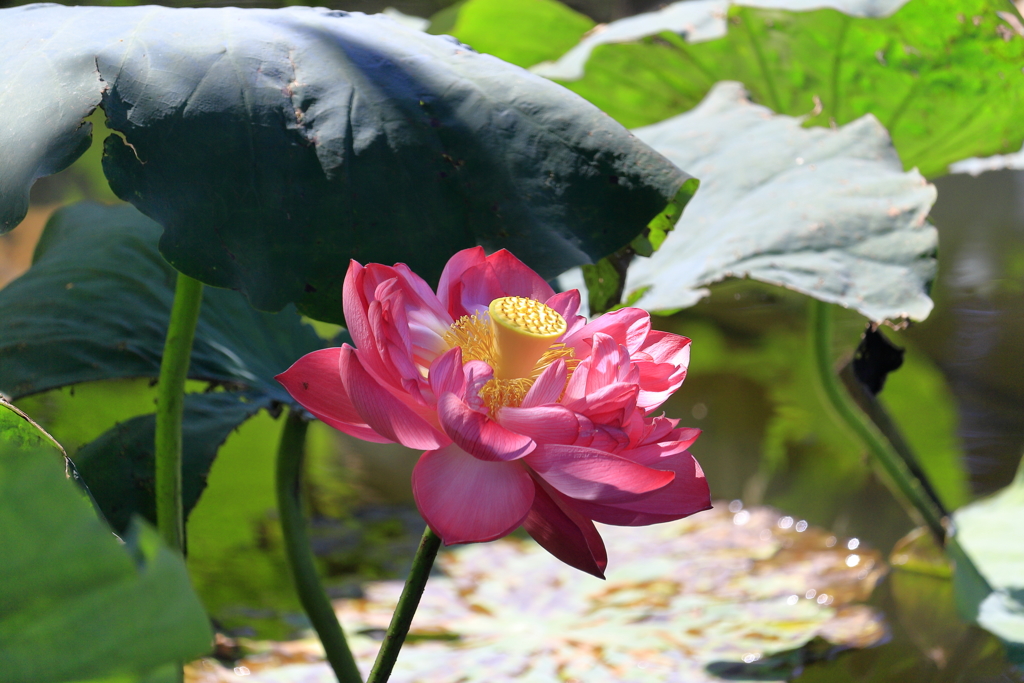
[(907, 484)]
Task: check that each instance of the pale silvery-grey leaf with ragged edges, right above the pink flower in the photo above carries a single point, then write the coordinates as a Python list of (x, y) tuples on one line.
[(828, 214)]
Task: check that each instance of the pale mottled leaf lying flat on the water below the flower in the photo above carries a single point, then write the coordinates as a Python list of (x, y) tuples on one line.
[(722, 586)]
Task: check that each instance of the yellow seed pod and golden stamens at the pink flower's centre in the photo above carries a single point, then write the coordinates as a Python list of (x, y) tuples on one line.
[(519, 343)]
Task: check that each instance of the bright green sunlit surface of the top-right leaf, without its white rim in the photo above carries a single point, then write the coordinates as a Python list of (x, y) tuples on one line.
[(942, 78)]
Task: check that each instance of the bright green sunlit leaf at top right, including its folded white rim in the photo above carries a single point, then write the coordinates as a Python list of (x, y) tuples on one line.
[(946, 79)]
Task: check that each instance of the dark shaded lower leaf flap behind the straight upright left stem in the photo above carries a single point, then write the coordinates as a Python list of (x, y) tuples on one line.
[(119, 465)]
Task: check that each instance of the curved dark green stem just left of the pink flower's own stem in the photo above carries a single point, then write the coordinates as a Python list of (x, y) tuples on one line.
[(291, 453)]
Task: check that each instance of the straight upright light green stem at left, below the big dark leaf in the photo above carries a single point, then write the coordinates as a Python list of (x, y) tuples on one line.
[(170, 406)]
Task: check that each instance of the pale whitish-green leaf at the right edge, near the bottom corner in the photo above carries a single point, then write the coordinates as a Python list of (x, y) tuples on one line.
[(990, 531)]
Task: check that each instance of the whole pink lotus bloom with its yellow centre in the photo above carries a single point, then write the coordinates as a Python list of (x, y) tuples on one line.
[(528, 415)]
